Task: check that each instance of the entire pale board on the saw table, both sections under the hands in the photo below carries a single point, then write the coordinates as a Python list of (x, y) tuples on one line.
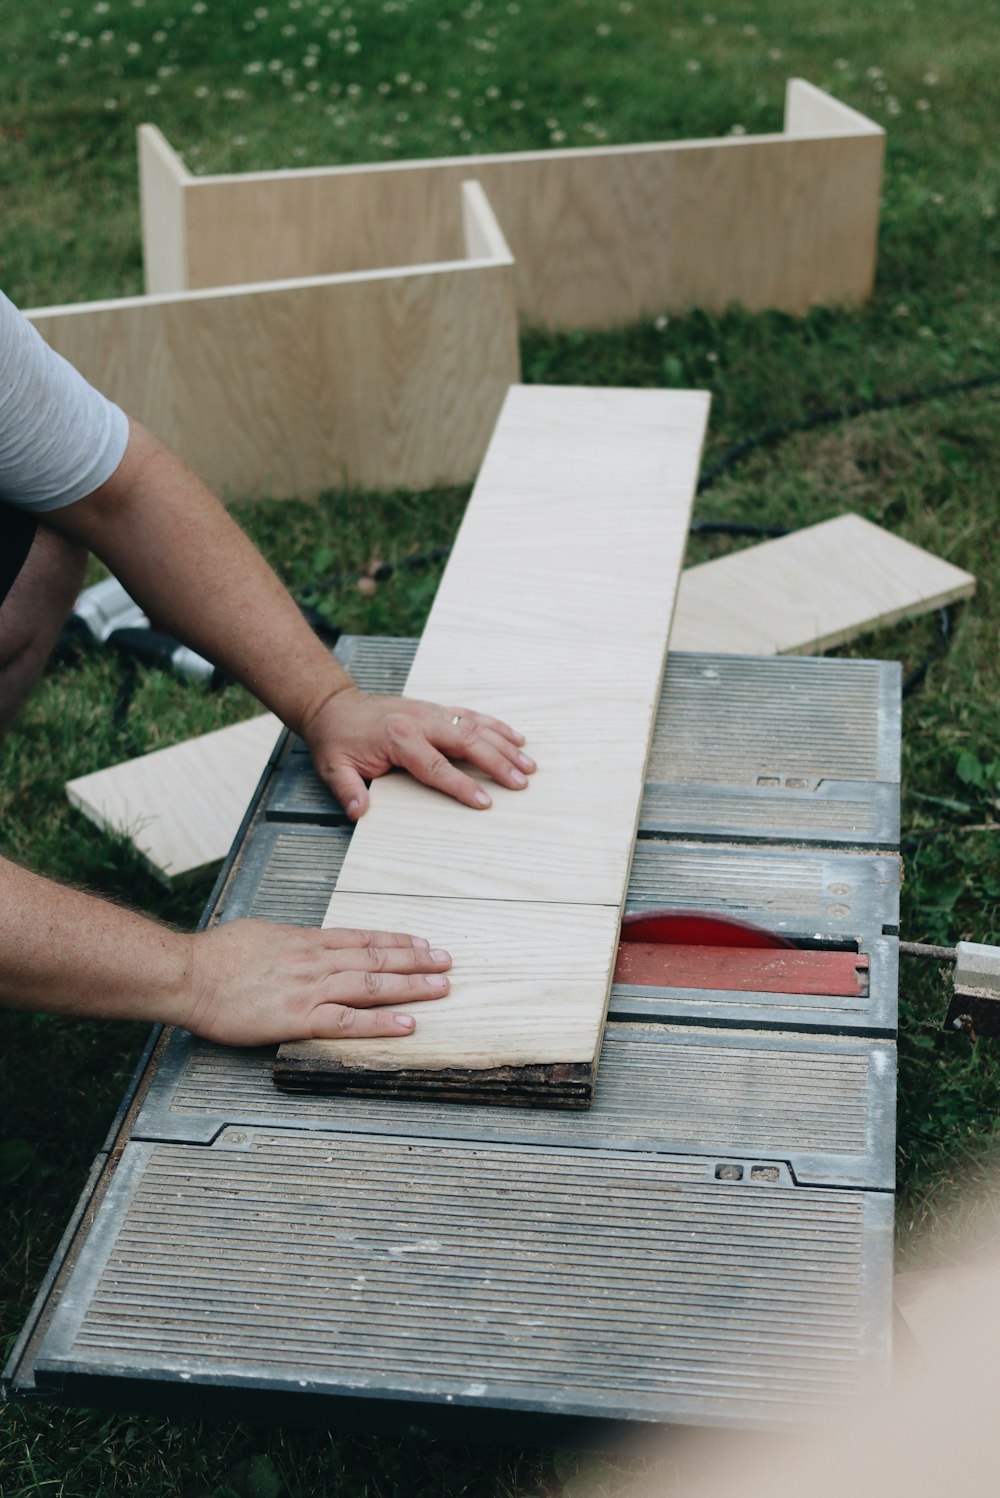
[(553, 613)]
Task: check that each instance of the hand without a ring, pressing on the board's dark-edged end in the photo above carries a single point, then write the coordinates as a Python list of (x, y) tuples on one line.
[(255, 983)]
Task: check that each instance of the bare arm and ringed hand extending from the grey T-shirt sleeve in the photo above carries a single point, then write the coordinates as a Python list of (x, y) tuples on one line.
[(186, 561)]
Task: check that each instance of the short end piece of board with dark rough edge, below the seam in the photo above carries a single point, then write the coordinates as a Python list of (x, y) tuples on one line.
[(523, 1019)]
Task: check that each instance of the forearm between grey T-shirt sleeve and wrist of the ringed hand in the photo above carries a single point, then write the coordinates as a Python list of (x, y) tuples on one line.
[(185, 560)]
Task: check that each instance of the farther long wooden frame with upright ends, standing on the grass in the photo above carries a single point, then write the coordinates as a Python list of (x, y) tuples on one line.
[(601, 236)]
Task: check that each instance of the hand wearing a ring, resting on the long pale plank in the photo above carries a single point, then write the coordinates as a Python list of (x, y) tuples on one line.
[(356, 738)]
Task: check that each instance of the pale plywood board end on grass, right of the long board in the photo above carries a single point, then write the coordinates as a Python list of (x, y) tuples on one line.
[(812, 591)]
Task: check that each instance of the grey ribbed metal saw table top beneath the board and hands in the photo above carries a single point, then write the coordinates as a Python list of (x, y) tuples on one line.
[(710, 1244)]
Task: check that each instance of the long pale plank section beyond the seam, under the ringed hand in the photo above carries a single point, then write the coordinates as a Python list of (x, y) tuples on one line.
[(553, 613)]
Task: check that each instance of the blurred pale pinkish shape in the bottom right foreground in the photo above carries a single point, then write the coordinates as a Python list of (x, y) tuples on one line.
[(932, 1434)]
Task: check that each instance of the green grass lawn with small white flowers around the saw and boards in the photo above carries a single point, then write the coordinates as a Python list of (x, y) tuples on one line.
[(296, 83)]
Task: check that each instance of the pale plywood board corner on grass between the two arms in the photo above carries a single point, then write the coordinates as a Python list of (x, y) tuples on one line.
[(182, 807)]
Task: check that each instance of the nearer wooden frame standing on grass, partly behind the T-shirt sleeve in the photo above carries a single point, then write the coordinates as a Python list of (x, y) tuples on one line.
[(384, 380)]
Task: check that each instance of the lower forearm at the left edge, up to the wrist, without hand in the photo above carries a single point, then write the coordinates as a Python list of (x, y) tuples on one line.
[(65, 952)]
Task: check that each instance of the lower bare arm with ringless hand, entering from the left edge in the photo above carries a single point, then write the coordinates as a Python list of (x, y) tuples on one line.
[(248, 983)]
